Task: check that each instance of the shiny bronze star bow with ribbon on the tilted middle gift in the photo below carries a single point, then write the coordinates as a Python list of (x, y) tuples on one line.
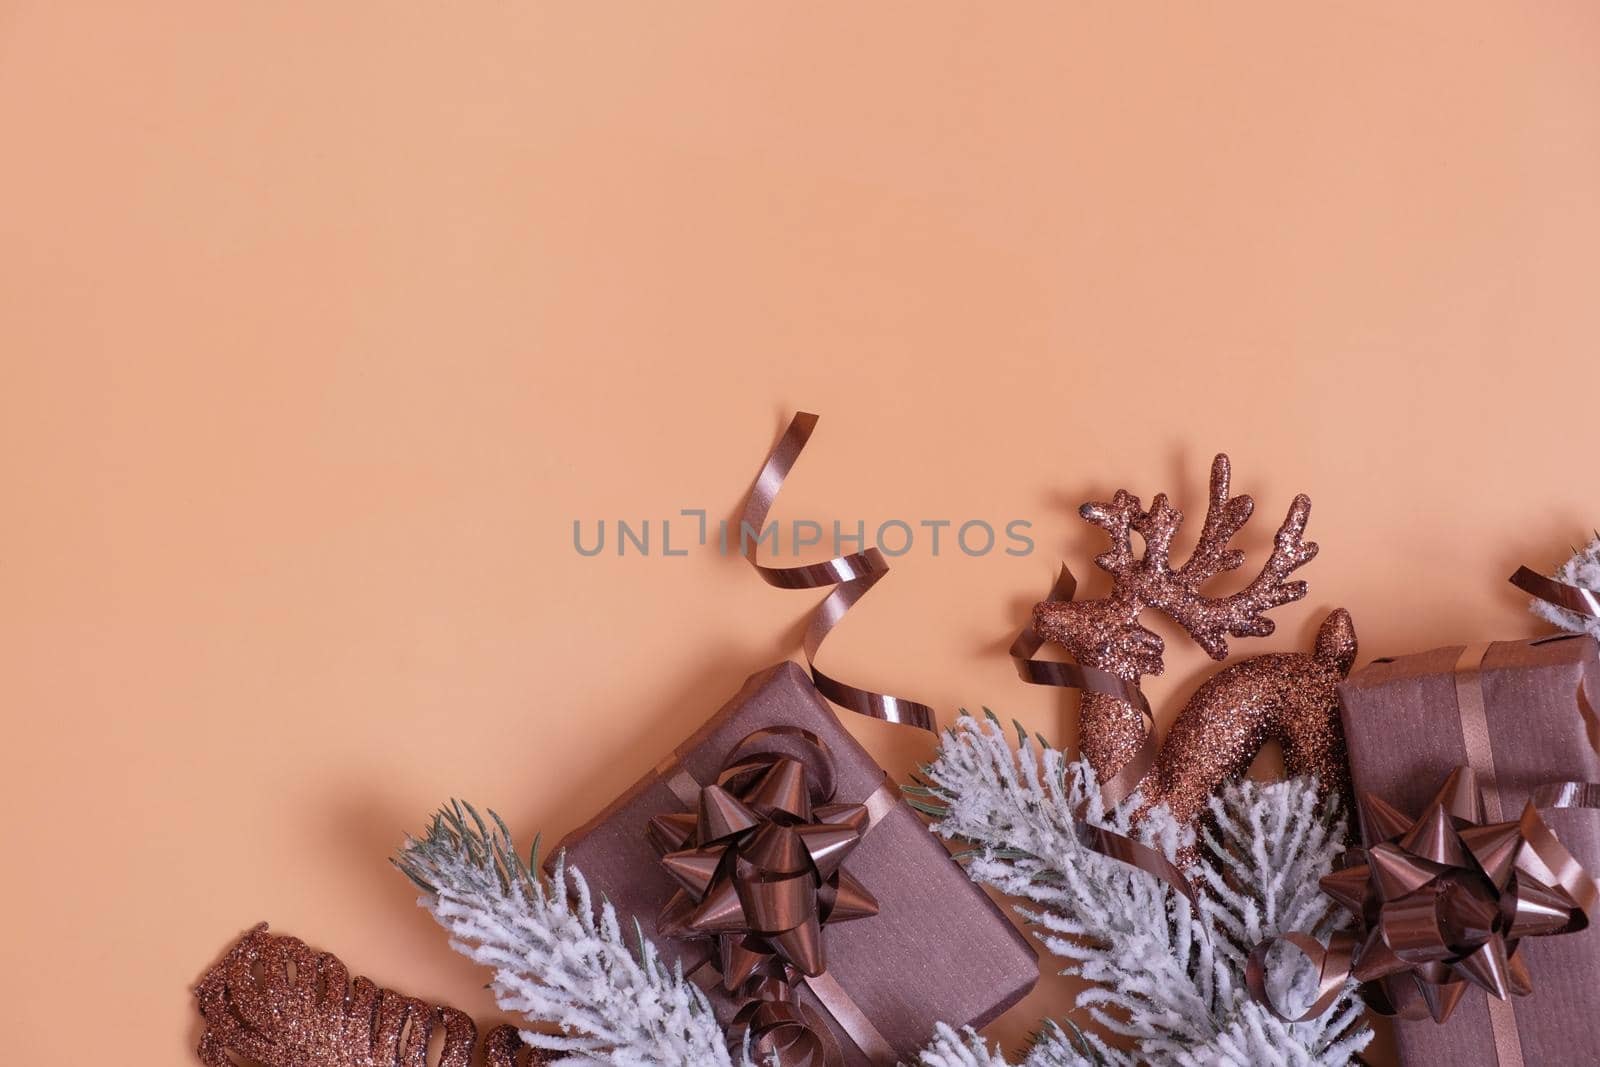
[(759, 865)]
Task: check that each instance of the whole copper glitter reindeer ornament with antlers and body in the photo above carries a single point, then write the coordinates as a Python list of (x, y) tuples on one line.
[(1290, 698)]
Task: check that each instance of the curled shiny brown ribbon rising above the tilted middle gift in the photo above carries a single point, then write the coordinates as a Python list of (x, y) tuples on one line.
[(850, 577)]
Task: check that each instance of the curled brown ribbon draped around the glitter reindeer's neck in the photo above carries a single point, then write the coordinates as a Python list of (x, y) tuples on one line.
[(1127, 780)]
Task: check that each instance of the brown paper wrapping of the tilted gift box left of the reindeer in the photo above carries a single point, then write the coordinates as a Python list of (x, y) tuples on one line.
[(938, 951)]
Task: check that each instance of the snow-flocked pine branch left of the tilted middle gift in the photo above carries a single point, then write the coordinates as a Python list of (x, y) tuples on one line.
[(554, 961)]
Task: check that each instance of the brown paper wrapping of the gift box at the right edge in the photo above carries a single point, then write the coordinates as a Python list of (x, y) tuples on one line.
[(1404, 735)]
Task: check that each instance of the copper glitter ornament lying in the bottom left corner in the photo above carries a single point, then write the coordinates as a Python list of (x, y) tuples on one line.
[(279, 1004)]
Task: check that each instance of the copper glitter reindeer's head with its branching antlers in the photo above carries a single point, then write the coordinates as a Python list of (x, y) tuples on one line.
[(1106, 633)]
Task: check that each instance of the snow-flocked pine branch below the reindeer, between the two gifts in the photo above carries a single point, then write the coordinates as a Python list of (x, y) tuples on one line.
[(1162, 977)]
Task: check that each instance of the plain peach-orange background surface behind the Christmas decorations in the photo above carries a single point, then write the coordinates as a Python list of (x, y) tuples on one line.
[(321, 324)]
